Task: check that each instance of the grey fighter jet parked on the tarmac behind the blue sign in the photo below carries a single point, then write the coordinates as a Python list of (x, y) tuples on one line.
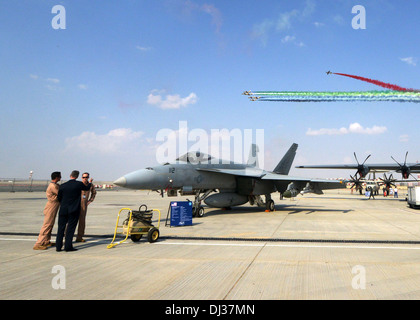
[(233, 184)]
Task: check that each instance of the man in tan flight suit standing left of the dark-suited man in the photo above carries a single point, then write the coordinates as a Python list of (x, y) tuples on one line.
[(50, 212)]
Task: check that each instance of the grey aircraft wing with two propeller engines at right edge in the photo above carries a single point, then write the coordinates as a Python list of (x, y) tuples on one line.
[(363, 169)]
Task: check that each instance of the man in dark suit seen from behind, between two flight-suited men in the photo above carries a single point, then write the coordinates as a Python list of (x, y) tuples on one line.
[(69, 196)]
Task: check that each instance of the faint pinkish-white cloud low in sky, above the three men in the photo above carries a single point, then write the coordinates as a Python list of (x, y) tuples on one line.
[(117, 140)]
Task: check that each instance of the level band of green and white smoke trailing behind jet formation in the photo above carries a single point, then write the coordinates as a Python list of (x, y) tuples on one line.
[(311, 96)]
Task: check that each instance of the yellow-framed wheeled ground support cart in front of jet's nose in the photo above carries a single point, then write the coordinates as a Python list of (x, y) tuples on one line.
[(137, 224)]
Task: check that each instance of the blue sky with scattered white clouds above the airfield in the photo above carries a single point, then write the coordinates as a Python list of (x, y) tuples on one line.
[(94, 96)]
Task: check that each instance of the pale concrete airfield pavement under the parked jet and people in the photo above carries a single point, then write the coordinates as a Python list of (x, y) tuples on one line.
[(333, 246)]
